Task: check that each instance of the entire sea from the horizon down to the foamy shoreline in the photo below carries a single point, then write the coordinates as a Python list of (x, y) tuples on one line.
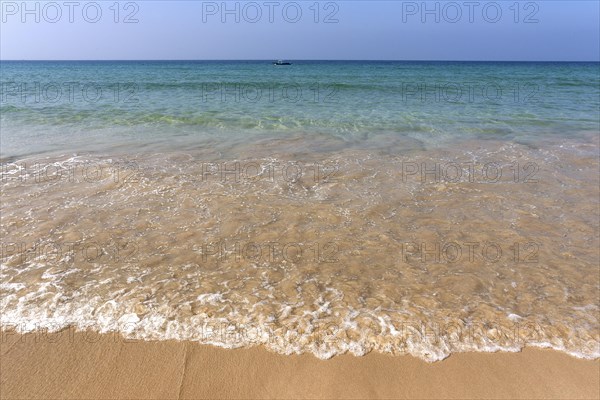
[(325, 207)]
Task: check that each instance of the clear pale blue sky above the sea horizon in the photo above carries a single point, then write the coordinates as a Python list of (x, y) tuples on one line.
[(547, 30)]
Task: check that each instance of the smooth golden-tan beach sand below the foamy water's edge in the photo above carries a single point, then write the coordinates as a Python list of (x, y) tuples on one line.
[(87, 365)]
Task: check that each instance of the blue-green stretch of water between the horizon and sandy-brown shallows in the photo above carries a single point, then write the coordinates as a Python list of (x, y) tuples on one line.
[(154, 105)]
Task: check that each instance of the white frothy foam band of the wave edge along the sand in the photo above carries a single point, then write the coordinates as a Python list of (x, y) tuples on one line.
[(324, 338)]
